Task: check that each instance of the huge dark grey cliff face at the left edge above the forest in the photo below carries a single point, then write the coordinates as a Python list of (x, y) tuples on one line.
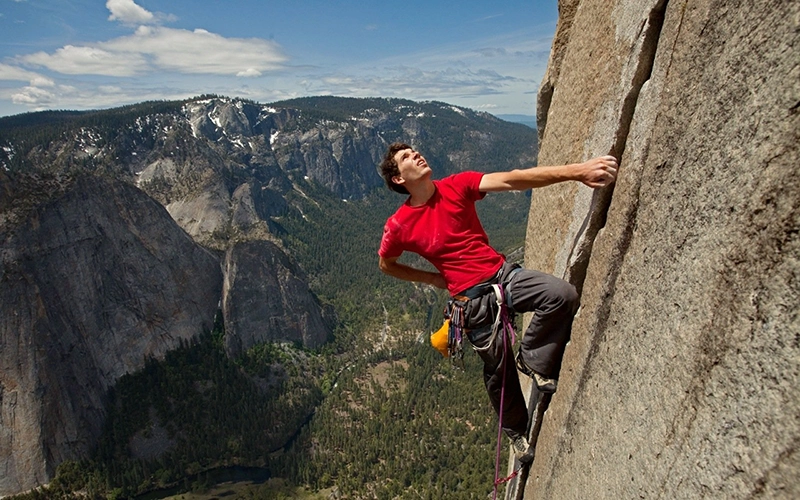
[(94, 283)]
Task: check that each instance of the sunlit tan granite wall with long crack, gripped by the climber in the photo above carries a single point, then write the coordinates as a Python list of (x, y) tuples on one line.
[(681, 379)]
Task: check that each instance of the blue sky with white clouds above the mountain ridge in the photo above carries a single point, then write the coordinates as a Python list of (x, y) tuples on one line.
[(90, 54)]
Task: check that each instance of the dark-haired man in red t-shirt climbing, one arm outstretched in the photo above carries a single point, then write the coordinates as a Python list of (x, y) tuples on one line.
[(438, 221)]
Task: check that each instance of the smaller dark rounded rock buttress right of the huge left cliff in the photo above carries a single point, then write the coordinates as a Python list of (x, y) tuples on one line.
[(266, 299)]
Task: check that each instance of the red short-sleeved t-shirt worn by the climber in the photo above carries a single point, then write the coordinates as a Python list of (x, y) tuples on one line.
[(446, 231)]
